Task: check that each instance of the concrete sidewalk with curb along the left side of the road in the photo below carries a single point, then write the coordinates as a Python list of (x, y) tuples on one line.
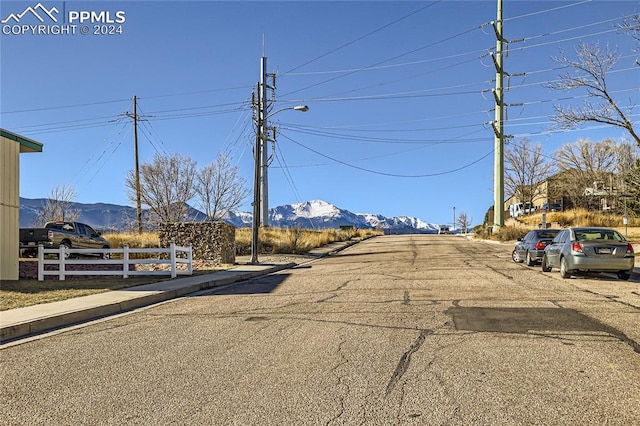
[(22, 322)]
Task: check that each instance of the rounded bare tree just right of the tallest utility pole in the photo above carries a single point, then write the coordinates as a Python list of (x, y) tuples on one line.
[(526, 169)]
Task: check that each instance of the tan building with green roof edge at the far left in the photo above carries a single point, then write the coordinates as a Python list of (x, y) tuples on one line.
[(11, 145)]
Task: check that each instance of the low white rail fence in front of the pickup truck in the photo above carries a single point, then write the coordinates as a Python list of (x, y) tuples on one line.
[(64, 259)]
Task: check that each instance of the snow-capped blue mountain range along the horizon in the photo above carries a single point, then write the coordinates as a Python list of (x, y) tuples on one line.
[(315, 214)]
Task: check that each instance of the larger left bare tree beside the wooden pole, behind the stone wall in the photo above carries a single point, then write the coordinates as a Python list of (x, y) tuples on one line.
[(166, 186)]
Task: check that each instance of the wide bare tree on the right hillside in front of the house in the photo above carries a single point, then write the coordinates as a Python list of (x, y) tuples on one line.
[(588, 168)]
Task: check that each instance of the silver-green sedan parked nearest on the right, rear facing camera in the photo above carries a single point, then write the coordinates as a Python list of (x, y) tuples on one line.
[(576, 250)]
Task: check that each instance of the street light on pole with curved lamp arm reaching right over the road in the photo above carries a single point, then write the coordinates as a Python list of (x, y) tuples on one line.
[(260, 171)]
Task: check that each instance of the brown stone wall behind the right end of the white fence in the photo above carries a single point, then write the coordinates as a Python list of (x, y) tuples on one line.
[(209, 240)]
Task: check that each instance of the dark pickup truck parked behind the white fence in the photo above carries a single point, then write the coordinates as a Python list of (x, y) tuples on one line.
[(56, 234)]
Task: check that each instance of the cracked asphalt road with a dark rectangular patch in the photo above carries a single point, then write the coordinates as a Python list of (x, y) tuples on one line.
[(396, 330)]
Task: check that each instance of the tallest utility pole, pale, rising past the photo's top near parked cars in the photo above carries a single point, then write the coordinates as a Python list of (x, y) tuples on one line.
[(498, 127)]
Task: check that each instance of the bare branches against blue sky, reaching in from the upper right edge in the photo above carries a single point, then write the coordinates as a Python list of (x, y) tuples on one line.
[(589, 72)]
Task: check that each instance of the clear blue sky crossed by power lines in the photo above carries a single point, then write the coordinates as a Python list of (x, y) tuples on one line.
[(399, 93)]
